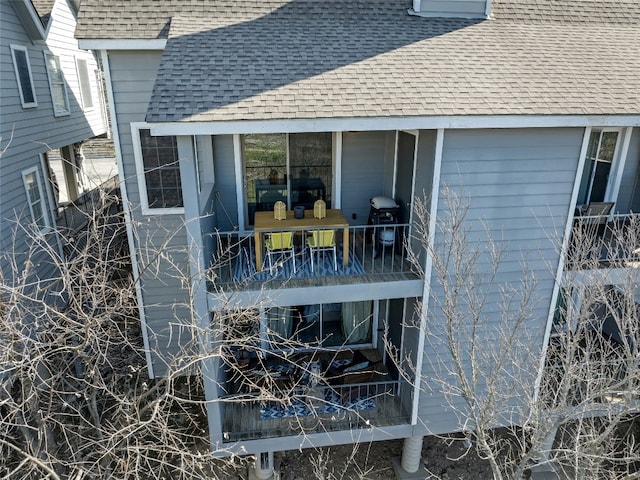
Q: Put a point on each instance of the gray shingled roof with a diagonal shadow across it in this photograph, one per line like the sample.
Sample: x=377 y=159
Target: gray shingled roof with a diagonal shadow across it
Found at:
x=304 y=59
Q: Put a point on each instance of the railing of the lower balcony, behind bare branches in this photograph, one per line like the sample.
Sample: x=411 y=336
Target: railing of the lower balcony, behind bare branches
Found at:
x=311 y=410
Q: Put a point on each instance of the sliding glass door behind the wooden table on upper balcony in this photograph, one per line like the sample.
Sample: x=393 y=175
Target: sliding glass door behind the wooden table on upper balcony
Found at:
x=295 y=168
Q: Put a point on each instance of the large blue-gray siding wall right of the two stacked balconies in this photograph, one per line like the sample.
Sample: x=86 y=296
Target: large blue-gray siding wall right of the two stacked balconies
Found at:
x=517 y=184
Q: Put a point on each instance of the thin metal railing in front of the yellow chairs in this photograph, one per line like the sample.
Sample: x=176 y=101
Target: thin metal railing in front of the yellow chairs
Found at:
x=373 y=251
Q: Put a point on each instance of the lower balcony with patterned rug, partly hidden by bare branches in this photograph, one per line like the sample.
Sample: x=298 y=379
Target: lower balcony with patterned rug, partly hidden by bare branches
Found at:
x=309 y=393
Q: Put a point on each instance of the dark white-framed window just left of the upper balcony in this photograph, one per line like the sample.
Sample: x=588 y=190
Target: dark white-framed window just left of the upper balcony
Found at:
x=160 y=180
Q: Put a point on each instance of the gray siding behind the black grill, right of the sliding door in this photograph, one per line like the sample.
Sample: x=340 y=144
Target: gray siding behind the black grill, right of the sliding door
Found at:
x=366 y=169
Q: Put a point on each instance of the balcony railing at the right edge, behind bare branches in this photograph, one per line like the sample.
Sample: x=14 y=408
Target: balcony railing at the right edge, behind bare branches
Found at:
x=605 y=241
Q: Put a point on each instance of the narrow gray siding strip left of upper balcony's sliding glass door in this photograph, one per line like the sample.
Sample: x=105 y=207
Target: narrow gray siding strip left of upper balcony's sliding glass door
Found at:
x=226 y=199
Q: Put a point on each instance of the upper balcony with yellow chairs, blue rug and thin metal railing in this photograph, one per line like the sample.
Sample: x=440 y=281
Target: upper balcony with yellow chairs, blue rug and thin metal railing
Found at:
x=309 y=256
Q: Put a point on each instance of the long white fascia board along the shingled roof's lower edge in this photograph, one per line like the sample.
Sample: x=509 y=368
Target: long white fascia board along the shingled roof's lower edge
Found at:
x=392 y=123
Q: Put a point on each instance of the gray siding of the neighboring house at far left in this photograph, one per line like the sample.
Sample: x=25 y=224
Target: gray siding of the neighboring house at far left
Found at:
x=26 y=133
